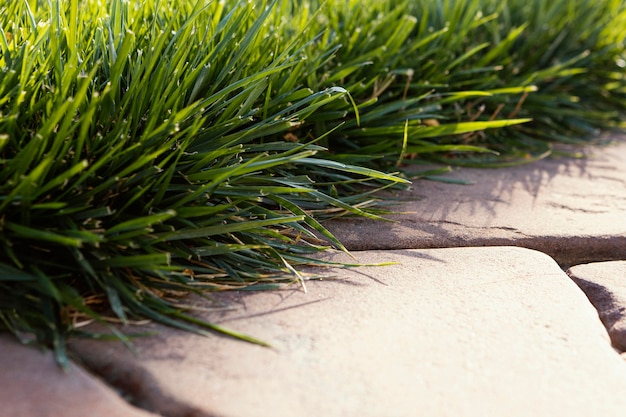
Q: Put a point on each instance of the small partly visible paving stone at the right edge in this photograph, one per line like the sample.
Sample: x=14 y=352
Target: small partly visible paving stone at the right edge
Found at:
x=605 y=285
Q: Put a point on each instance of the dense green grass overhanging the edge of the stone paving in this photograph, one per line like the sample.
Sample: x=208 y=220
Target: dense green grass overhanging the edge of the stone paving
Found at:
x=151 y=149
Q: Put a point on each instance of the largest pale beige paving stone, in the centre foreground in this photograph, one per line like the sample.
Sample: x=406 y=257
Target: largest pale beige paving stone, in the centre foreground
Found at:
x=445 y=332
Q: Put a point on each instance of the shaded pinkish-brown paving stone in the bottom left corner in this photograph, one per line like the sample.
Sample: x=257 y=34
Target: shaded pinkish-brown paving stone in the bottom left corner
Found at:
x=33 y=385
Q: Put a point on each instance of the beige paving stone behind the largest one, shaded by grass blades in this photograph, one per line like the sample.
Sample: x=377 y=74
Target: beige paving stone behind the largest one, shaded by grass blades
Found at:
x=572 y=209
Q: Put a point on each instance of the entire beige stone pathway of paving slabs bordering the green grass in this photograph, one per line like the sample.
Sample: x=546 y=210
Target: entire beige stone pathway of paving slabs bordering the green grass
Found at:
x=452 y=328
